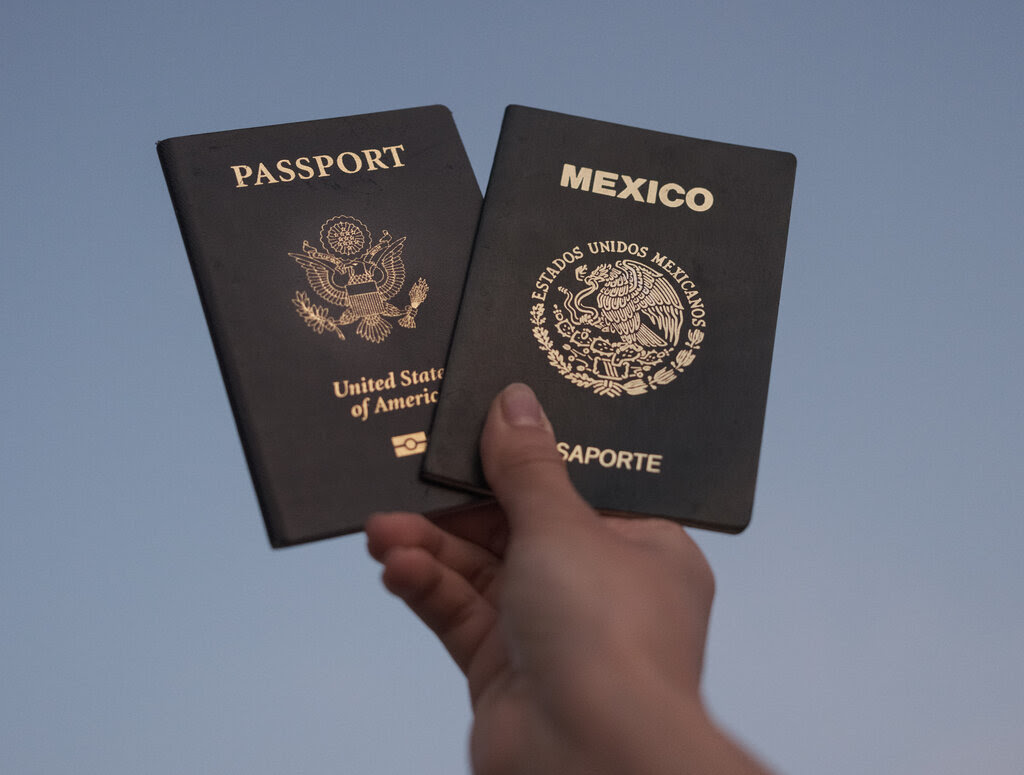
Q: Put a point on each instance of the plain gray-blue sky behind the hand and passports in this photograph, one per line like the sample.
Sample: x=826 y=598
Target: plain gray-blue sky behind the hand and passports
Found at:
x=870 y=621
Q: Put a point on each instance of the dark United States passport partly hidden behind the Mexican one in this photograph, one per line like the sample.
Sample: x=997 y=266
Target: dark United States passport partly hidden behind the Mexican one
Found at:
x=330 y=257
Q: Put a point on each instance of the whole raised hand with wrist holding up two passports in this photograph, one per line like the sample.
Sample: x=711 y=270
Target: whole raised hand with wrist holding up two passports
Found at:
x=582 y=637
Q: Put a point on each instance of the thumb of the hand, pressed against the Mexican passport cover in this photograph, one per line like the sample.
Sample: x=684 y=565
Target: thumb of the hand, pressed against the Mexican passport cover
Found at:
x=524 y=467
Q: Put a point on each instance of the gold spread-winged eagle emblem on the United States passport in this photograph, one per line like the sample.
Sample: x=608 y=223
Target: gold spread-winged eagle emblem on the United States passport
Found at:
x=352 y=272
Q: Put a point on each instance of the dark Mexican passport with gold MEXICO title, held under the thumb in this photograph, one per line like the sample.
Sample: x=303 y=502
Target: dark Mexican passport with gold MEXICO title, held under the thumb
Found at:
x=632 y=279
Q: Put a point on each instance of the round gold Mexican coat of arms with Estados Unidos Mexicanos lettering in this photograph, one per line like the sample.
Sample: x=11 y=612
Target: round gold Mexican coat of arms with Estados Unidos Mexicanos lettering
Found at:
x=626 y=326
